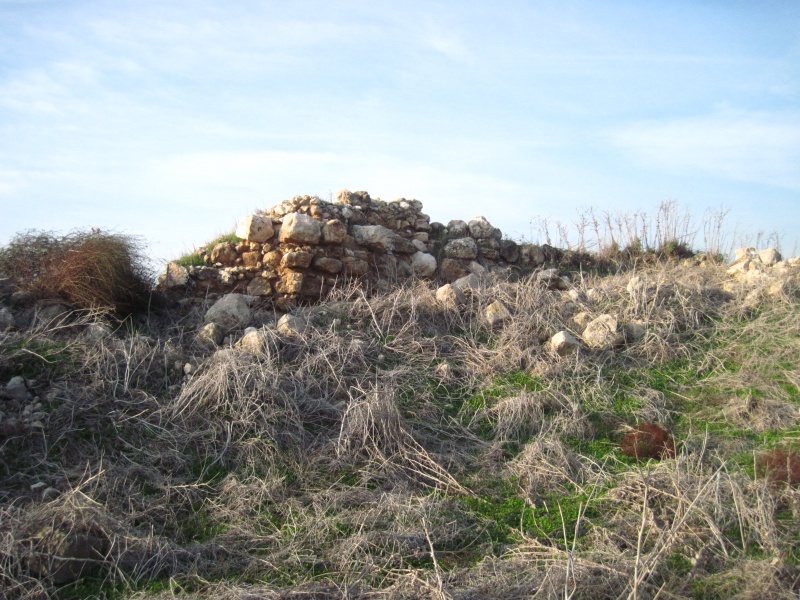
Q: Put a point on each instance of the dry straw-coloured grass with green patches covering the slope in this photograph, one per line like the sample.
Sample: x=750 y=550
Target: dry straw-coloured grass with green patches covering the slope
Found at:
x=402 y=450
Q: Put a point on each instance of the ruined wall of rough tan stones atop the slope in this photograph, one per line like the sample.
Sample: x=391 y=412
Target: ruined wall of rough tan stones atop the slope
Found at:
x=300 y=249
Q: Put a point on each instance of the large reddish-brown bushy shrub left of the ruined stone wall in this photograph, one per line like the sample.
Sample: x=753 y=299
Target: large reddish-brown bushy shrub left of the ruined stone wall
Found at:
x=90 y=270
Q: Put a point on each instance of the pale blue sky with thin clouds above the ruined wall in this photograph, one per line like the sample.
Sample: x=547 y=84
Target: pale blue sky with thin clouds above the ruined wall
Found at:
x=172 y=119
